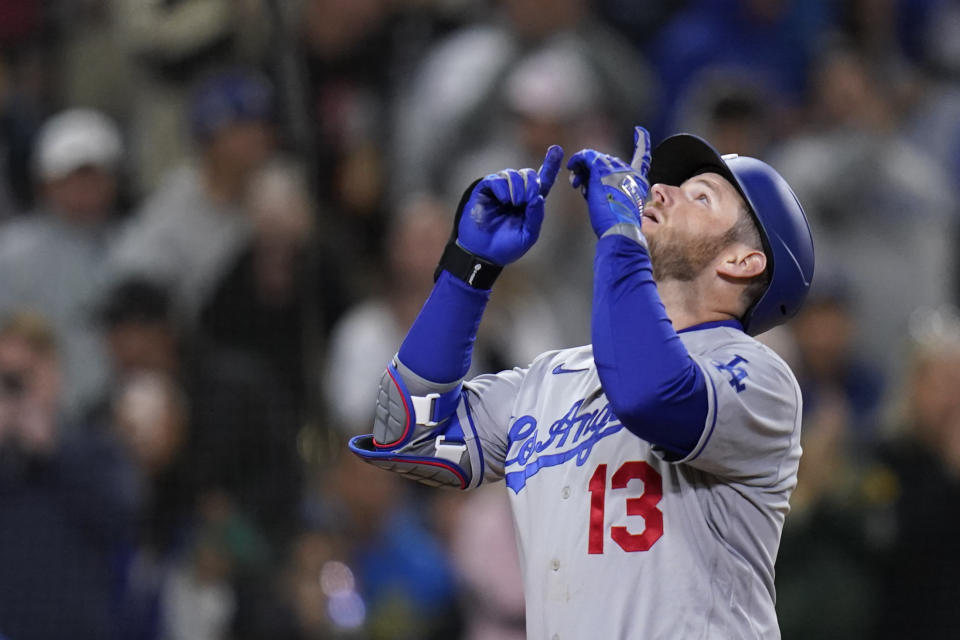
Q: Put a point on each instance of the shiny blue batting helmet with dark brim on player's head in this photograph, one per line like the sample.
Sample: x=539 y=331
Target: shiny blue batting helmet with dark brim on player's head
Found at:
x=783 y=226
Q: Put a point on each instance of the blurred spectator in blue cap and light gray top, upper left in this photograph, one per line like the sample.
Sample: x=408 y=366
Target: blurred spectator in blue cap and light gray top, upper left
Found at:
x=187 y=233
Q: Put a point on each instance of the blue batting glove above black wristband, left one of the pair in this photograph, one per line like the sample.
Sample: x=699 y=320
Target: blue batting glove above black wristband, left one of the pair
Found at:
x=502 y=216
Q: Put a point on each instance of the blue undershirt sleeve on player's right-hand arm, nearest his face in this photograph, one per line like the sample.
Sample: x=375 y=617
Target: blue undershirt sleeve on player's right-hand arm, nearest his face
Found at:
x=653 y=385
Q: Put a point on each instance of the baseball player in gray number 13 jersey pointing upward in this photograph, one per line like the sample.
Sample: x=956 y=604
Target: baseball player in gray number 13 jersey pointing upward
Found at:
x=649 y=473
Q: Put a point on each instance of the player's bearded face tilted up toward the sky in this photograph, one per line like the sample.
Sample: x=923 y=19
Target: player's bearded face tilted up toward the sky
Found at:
x=686 y=226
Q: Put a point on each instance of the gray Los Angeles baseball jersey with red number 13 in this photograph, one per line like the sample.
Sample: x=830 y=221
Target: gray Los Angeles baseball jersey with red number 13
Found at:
x=617 y=541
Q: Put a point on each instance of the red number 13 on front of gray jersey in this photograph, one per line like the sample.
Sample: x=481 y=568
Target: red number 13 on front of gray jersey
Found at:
x=645 y=505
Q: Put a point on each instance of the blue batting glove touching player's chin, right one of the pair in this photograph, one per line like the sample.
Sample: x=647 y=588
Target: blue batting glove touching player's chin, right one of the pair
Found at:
x=614 y=191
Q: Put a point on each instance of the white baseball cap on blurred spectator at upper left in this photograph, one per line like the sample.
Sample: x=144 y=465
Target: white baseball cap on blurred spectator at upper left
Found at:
x=76 y=138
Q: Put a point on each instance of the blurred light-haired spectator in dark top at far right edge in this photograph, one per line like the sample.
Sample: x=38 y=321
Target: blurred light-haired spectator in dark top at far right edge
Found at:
x=920 y=594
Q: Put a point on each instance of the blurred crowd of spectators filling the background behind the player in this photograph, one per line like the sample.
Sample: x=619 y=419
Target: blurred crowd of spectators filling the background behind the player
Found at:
x=218 y=218
